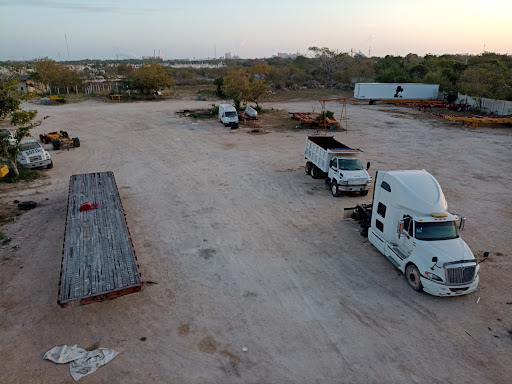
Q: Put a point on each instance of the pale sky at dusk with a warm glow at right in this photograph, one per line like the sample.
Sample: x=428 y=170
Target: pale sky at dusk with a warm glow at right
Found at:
x=106 y=29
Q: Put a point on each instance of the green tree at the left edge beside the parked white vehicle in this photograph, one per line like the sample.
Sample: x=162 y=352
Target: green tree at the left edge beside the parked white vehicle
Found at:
x=10 y=110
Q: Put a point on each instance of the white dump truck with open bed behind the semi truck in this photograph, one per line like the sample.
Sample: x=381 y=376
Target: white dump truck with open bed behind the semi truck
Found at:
x=327 y=156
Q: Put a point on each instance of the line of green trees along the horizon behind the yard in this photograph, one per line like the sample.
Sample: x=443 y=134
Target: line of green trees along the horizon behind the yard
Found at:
x=485 y=75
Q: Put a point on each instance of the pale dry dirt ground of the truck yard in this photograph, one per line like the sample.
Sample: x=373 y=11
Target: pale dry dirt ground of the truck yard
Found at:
x=240 y=249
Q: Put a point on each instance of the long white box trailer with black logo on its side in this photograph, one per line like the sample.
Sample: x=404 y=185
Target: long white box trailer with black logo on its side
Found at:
x=395 y=91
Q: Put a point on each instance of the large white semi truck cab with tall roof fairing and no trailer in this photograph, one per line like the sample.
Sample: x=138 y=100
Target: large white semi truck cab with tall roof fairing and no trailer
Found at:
x=408 y=222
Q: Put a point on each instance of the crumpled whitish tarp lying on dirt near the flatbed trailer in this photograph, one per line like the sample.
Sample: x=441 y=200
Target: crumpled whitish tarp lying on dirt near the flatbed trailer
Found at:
x=83 y=362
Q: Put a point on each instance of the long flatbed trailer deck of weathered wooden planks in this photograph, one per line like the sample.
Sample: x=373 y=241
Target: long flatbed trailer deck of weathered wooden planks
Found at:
x=98 y=259
